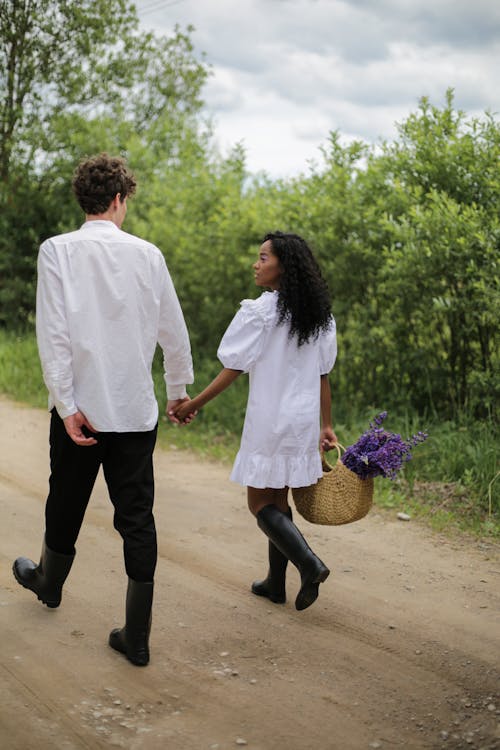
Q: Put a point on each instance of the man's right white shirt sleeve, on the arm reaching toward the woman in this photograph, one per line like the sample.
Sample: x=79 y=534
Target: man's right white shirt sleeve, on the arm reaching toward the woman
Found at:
x=173 y=338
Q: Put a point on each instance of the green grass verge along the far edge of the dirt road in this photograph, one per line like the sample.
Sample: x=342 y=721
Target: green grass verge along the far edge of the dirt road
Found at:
x=451 y=476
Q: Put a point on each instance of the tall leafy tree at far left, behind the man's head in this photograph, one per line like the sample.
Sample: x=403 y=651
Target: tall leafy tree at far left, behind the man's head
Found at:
x=77 y=78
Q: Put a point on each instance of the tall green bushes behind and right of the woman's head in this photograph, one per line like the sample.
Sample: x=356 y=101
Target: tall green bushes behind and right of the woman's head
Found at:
x=409 y=239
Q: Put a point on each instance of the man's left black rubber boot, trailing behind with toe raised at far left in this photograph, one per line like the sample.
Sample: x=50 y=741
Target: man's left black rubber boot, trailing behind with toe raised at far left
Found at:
x=47 y=578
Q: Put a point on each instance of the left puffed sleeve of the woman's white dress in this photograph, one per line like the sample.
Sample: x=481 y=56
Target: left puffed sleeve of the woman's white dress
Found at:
x=244 y=340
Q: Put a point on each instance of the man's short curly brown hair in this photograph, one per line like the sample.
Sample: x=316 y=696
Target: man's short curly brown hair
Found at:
x=97 y=180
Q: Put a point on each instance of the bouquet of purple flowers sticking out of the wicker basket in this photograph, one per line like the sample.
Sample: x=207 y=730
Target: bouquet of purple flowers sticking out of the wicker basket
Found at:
x=379 y=452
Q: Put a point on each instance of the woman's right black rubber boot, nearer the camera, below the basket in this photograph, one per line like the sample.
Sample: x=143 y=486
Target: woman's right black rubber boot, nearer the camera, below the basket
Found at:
x=287 y=538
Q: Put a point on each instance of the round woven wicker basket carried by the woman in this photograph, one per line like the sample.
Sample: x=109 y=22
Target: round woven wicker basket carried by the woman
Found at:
x=339 y=497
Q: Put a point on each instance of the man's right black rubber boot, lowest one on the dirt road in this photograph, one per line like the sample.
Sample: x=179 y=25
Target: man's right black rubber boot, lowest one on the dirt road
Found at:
x=133 y=639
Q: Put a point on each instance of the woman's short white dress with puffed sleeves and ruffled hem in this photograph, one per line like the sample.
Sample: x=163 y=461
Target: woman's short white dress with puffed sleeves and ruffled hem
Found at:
x=280 y=440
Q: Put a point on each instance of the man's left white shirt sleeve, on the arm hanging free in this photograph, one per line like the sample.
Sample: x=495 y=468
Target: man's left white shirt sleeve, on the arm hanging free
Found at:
x=52 y=333
